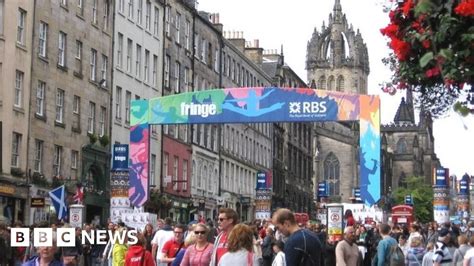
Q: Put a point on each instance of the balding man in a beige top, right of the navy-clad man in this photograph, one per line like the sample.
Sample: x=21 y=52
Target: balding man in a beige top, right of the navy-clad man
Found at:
x=347 y=252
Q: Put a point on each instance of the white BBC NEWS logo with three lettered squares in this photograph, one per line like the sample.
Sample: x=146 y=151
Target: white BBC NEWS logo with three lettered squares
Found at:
x=66 y=237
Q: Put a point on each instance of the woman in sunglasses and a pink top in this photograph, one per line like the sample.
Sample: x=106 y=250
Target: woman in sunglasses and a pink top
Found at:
x=200 y=253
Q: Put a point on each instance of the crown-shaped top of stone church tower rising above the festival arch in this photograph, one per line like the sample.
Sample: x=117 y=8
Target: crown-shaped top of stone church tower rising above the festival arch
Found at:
x=337 y=57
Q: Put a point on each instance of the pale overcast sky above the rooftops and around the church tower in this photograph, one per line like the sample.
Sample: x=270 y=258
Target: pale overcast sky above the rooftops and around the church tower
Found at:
x=276 y=22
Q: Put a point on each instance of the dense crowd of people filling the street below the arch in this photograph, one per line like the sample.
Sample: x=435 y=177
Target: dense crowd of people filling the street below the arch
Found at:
x=273 y=242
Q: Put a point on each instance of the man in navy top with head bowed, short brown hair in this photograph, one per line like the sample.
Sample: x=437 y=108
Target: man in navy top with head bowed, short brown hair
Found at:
x=302 y=246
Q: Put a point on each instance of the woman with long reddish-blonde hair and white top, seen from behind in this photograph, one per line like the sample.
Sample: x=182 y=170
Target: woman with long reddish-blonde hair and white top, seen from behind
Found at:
x=239 y=247
